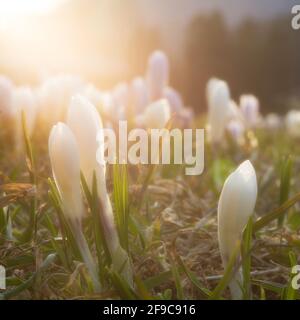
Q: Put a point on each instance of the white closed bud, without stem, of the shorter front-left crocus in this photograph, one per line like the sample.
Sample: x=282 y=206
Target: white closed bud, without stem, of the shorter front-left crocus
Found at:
x=64 y=156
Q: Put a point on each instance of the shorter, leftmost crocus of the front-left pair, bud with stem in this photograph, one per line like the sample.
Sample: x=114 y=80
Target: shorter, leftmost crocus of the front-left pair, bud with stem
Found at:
x=64 y=156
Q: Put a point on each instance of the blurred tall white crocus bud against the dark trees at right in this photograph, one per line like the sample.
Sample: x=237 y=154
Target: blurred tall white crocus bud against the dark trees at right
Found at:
x=218 y=109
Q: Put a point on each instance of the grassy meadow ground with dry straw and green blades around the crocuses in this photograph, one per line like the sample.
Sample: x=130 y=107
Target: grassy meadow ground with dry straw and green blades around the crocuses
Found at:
x=166 y=221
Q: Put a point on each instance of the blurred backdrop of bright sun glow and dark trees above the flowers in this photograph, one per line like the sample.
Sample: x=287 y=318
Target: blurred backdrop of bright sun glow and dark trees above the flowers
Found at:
x=250 y=44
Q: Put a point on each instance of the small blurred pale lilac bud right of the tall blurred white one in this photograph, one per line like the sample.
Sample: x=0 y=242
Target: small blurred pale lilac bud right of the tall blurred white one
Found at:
x=249 y=105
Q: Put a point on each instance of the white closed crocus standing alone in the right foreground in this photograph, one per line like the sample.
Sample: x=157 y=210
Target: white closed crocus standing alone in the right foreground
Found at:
x=236 y=205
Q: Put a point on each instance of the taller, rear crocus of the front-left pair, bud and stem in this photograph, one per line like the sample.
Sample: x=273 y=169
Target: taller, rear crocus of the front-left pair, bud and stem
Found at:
x=86 y=124
